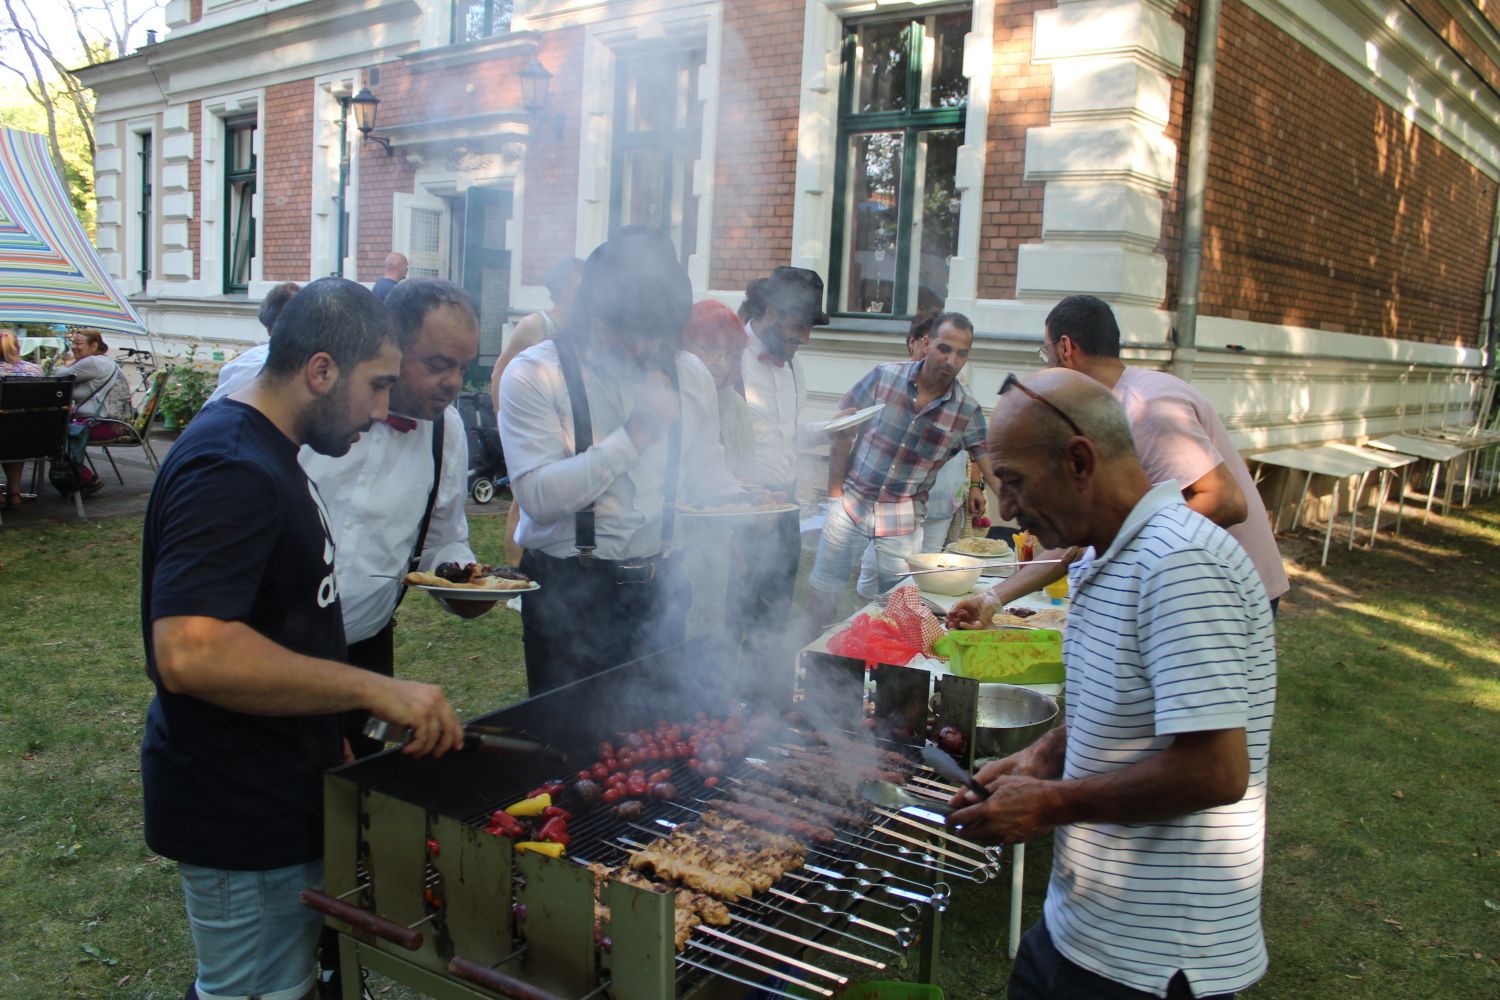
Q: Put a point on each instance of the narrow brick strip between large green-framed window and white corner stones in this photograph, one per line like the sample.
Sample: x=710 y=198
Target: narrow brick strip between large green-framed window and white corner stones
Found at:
x=1021 y=98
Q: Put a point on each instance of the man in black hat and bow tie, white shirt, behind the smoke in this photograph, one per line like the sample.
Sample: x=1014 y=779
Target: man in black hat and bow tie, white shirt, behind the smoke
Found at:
x=781 y=313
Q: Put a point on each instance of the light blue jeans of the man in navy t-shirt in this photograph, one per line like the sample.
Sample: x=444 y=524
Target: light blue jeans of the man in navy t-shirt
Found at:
x=254 y=938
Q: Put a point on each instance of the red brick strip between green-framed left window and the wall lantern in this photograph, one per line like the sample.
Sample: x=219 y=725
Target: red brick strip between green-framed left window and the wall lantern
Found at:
x=287 y=173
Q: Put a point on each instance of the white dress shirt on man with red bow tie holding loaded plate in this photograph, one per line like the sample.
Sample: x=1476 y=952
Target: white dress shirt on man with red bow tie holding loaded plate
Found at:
x=376 y=497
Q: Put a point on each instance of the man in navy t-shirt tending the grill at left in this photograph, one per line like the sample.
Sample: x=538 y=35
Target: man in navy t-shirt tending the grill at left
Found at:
x=245 y=645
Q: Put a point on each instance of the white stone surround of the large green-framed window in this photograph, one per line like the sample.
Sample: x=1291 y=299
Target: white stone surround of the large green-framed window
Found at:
x=818 y=137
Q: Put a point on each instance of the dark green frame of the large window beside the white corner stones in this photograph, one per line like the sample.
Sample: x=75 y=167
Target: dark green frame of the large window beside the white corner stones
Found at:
x=911 y=124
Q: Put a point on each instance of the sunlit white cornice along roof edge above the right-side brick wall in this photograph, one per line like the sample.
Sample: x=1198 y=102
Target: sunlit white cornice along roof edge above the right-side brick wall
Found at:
x=1390 y=53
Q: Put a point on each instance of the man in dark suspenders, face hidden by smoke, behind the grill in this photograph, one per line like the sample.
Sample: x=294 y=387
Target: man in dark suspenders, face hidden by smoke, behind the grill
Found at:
x=605 y=428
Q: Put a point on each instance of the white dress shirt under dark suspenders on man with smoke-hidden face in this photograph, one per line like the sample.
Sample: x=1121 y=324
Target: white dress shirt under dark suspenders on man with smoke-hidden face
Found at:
x=554 y=482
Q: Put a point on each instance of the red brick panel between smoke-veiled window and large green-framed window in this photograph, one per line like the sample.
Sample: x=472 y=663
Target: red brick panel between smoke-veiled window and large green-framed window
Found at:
x=757 y=160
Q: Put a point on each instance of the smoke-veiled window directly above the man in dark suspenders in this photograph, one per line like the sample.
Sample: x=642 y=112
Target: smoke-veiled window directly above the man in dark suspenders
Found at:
x=659 y=130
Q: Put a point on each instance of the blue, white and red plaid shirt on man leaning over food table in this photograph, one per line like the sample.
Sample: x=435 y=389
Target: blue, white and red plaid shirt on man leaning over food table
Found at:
x=898 y=455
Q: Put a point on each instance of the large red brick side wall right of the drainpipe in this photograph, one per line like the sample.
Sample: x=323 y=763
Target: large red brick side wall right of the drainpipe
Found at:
x=1328 y=209
